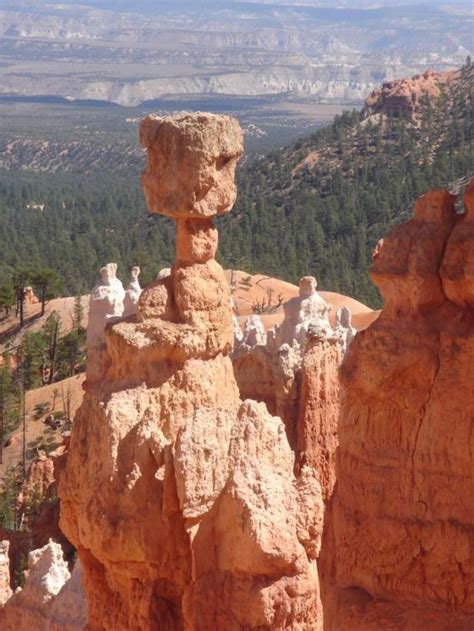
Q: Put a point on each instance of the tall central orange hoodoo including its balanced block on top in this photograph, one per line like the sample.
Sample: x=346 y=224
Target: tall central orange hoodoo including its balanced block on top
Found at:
x=181 y=499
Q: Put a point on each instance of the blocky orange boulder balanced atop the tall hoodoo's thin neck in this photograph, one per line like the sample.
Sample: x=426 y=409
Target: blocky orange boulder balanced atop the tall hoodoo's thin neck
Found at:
x=191 y=163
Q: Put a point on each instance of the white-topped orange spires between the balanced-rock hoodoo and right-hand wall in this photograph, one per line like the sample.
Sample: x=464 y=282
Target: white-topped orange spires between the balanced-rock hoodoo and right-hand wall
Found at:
x=293 y=369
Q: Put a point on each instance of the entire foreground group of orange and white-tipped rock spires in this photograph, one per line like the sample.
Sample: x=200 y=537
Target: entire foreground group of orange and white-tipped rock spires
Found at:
x=191 y=508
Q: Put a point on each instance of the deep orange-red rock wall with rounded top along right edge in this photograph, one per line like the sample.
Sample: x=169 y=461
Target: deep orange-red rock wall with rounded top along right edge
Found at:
x=403 y=520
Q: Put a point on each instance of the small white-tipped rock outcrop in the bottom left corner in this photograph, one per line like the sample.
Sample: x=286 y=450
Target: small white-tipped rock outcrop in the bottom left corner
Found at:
x=51 y=600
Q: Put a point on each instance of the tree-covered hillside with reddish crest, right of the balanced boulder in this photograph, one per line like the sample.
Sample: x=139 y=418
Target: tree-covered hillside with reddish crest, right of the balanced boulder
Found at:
x=321 y=205
